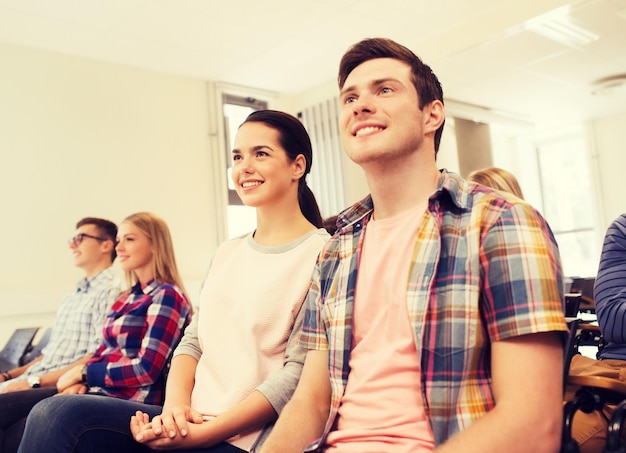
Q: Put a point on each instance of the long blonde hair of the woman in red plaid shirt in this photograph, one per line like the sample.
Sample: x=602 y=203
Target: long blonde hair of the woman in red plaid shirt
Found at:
x=163 y=260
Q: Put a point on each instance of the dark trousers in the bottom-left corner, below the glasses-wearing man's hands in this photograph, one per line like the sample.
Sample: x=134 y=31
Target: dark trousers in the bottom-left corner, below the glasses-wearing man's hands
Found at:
x=14 y=408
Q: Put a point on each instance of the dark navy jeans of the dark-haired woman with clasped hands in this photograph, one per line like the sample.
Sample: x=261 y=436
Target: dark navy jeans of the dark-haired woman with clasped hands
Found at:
x=90 y=423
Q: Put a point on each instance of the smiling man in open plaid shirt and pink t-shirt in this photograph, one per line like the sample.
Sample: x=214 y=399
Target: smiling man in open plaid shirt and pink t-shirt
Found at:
x=434 y=321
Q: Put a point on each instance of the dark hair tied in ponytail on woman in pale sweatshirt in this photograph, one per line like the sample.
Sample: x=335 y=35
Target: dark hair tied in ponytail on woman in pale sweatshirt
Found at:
x=295 y=140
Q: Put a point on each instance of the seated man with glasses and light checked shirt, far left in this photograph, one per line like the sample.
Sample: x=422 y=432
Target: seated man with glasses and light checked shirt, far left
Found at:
x=77 y=330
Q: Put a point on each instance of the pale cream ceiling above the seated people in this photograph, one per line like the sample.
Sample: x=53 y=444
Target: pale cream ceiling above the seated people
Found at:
x=483 y=51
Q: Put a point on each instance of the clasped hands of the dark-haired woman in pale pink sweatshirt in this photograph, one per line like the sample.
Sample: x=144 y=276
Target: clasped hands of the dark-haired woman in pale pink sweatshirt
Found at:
x=176 y=427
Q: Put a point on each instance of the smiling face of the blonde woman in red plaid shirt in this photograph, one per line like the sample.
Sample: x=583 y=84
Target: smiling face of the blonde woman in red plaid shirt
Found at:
x=134 y=251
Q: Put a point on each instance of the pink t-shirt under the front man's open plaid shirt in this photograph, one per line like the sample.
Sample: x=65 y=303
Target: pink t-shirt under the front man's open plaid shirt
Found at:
x=382 y=408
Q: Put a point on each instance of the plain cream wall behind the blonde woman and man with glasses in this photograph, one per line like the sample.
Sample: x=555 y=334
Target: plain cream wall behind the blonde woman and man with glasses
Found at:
x=83 y=138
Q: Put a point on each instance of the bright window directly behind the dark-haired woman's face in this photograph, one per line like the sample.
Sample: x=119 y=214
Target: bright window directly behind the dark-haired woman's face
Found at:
x=240 y=219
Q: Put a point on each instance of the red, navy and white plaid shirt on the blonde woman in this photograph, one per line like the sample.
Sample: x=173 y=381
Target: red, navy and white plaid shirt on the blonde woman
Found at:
x=140 y=333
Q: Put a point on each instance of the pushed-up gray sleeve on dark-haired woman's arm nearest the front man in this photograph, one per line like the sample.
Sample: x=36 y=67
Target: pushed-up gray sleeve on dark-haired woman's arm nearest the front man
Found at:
x=279 y=387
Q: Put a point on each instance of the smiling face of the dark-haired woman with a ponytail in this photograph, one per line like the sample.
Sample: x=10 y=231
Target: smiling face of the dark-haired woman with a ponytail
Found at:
x=262 y=172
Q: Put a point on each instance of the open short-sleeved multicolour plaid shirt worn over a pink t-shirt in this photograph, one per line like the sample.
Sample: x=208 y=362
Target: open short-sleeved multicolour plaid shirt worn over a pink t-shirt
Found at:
x=485 y=268
